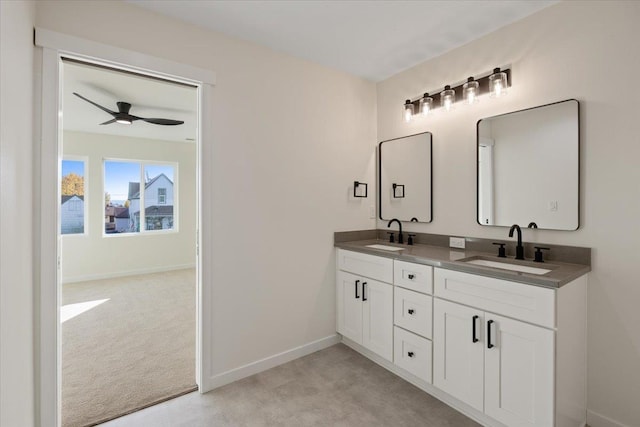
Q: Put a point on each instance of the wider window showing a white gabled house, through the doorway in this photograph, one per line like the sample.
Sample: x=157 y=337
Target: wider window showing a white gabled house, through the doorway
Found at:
x=132 y=209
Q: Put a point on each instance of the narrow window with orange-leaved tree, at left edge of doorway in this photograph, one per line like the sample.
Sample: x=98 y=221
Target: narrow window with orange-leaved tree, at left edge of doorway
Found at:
x=72 y=203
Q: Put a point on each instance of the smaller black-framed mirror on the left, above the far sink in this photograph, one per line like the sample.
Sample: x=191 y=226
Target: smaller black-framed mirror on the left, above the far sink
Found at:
x=404 y=184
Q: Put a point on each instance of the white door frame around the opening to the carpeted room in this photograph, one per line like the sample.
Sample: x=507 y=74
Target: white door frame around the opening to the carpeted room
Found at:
x=54 y=46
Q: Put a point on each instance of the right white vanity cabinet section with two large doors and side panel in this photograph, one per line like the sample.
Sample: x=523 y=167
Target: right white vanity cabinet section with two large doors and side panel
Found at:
x=499 y=347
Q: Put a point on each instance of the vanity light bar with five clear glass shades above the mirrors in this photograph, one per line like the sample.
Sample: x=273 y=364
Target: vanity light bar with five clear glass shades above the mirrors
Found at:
x=494 y=83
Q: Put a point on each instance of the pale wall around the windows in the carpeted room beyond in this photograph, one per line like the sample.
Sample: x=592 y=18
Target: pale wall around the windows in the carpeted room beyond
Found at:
x=93 y=255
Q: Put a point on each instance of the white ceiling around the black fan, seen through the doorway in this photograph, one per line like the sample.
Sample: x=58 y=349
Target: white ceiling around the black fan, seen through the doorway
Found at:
x=149 y=98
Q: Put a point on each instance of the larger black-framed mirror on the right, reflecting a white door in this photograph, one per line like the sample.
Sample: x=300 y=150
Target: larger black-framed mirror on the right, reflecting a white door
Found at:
x=528 y=167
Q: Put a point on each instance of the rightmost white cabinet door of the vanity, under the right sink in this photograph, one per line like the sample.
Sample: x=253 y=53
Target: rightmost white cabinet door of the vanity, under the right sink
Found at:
x=519 y=372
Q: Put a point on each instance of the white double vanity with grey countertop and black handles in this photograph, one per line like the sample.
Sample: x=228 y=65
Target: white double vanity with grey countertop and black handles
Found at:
x=502 y=341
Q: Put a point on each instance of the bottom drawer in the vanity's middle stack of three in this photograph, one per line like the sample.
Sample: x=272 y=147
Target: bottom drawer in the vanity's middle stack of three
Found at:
x=412 y=353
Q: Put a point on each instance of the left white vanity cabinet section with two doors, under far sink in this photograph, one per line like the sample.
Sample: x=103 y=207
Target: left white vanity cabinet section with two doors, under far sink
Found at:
x=365 y=301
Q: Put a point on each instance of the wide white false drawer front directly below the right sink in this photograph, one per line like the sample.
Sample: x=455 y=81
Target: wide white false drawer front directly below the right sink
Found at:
x=530 y=303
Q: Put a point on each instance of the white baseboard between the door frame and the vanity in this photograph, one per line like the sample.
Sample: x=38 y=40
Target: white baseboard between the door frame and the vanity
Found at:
x=268 y=363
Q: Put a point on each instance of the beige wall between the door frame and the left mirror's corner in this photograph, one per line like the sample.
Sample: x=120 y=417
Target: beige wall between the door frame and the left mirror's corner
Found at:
x=290 y=137
